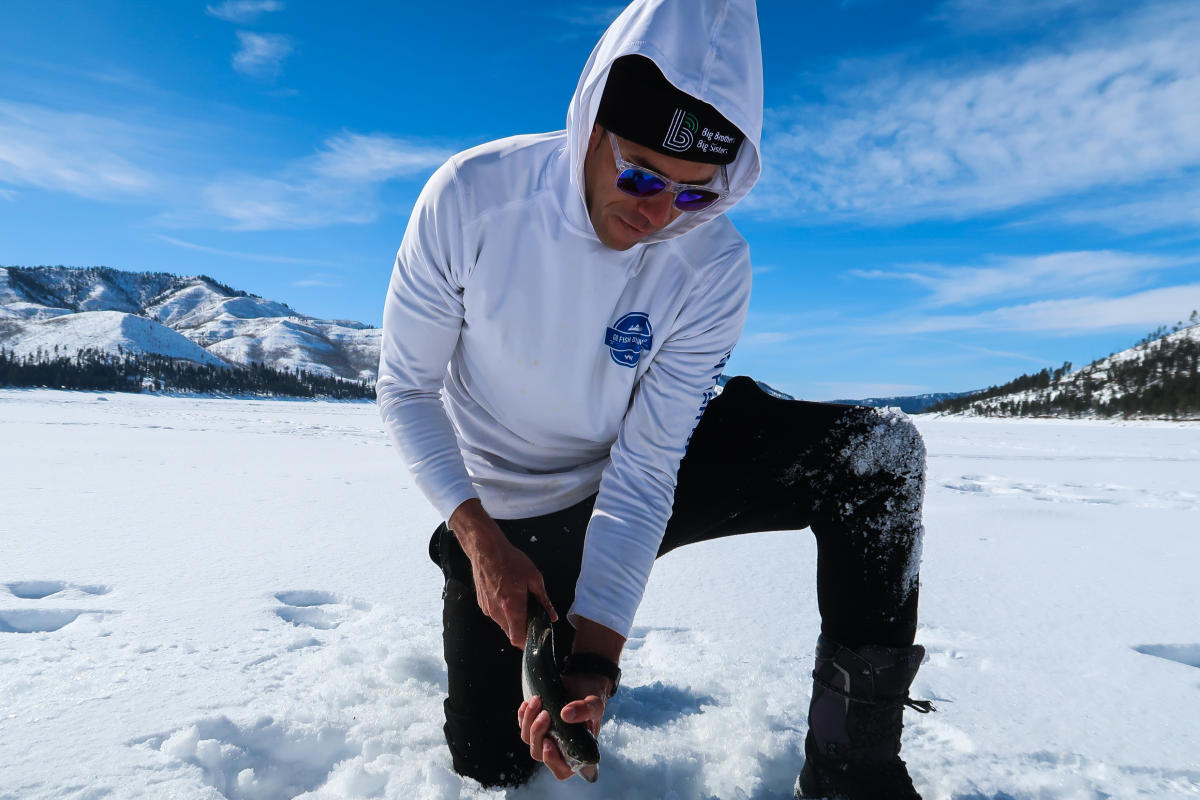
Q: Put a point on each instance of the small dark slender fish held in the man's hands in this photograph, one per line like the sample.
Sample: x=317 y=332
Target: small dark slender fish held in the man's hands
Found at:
x=541 y=677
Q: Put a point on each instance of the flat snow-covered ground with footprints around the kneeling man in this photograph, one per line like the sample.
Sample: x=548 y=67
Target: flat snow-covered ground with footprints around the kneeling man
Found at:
x=231 y=599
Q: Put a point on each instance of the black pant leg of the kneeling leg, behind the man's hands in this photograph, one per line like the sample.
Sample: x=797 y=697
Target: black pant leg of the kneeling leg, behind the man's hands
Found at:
x=483 y=669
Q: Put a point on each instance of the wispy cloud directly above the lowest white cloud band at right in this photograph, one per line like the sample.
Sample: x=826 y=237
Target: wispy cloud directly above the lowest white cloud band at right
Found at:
x=1046 y=276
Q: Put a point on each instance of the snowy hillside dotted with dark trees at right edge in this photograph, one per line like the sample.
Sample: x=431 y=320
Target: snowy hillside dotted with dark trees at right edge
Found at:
x=1159 y=377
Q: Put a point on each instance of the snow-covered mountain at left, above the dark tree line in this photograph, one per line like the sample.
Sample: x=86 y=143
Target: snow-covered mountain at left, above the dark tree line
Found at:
x=59 y=311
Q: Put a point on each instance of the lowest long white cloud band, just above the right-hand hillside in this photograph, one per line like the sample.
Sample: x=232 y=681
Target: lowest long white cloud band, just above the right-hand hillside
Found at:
x=1141 y=311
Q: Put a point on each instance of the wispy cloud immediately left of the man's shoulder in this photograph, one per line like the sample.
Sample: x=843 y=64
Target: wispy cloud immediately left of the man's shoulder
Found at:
x=339 y=184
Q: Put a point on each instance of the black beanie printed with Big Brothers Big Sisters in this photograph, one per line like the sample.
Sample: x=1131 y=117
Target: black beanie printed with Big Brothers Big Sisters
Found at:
x=643 y=106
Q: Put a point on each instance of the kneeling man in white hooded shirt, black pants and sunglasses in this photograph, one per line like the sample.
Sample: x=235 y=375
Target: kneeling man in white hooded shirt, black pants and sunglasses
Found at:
x=560 y=312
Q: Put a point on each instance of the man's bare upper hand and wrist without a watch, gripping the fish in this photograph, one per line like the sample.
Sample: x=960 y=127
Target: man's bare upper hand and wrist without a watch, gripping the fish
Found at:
x=505 y=576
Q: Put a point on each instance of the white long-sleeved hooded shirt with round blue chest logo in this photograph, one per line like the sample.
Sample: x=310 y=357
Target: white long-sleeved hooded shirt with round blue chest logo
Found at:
x=529 y=365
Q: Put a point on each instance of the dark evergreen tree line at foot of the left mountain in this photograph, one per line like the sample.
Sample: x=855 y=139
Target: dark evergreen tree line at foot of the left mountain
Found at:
x=125 y=372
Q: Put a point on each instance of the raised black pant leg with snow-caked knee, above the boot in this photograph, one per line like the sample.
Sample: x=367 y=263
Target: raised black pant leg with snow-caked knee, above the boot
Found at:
x=855 y=476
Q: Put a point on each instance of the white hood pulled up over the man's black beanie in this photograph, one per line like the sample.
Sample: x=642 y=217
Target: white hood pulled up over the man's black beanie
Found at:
x=707 y=49
